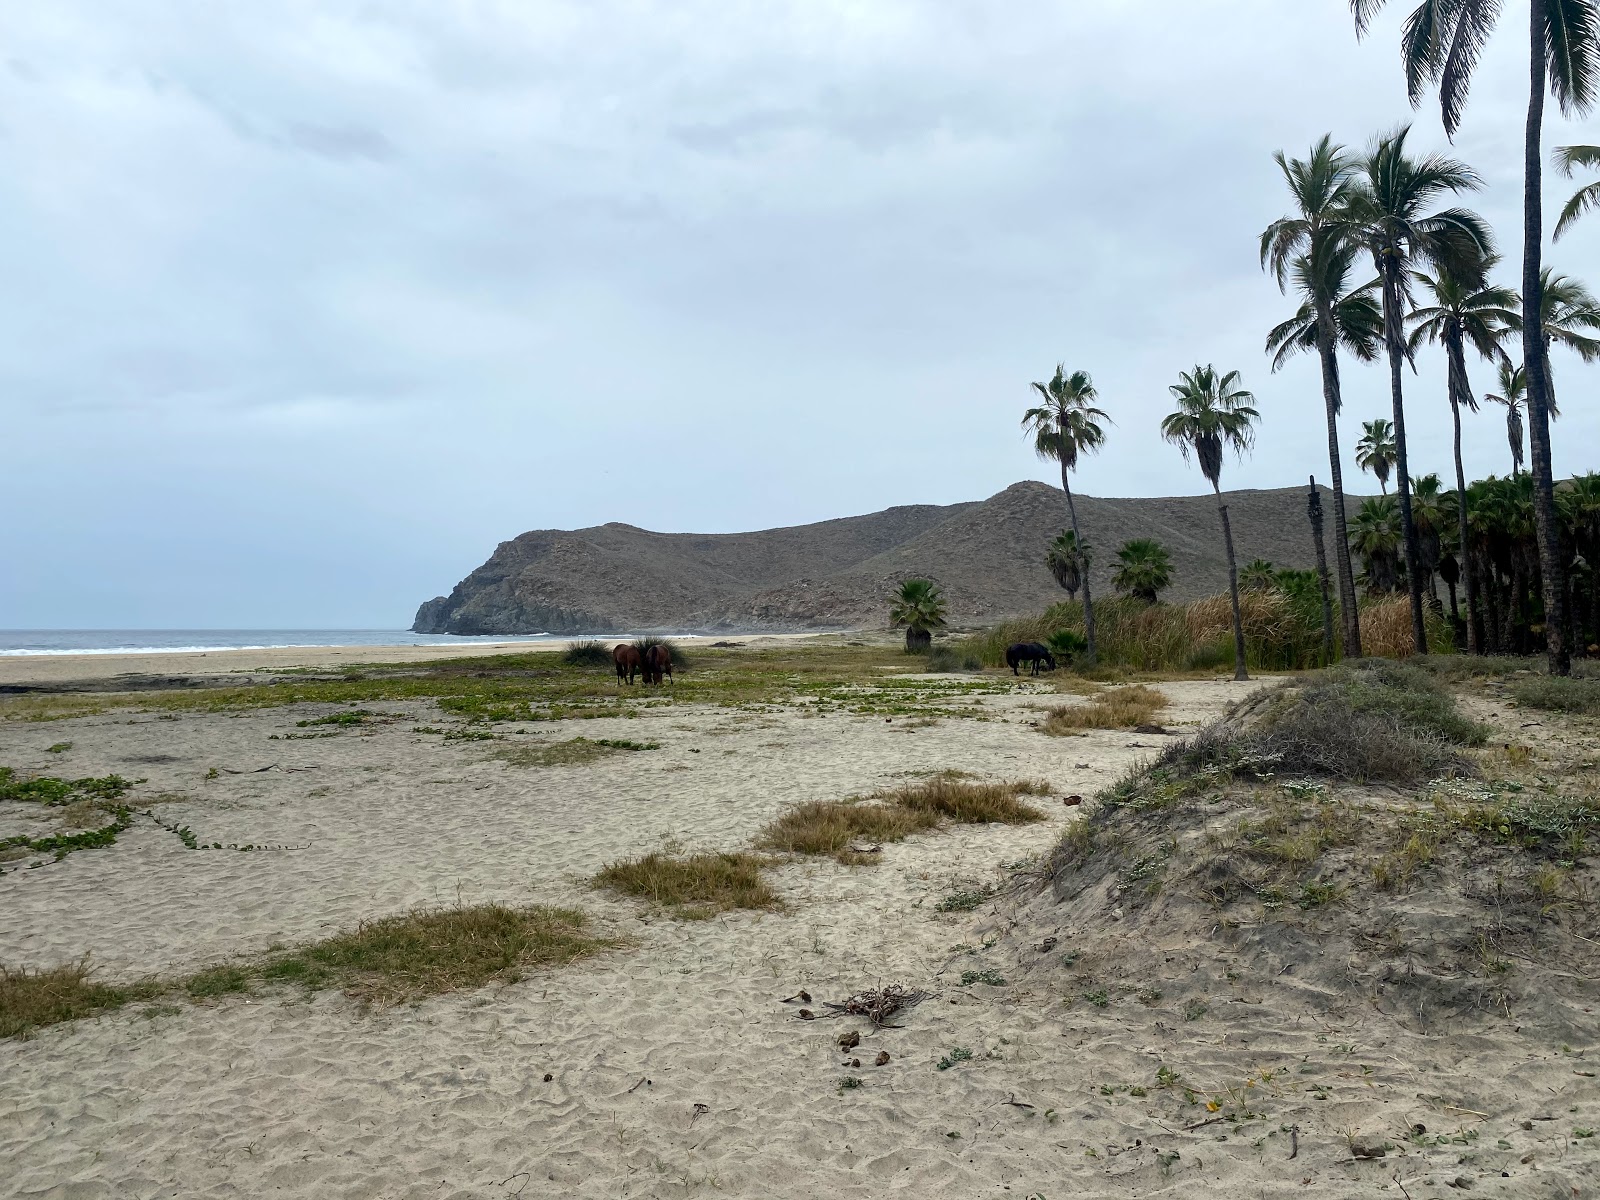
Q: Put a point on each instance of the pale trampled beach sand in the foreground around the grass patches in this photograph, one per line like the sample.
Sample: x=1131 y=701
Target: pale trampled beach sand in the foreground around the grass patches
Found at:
x=674 y=1065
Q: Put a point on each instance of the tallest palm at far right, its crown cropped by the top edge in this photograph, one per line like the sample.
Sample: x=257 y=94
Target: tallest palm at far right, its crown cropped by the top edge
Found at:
x=1441 y=44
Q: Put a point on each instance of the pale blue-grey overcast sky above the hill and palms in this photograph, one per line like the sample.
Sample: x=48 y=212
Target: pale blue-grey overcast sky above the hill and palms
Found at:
x=310 y=305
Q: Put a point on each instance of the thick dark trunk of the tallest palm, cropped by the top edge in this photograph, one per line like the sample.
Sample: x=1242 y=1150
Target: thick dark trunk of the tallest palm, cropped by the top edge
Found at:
x=1551 y=575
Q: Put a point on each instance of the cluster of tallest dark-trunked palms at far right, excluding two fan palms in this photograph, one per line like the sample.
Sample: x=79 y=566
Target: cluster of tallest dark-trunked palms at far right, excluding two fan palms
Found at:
x=1385 y=204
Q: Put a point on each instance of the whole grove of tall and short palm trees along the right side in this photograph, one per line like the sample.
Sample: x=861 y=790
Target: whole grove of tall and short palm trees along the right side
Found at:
x=1383 y=258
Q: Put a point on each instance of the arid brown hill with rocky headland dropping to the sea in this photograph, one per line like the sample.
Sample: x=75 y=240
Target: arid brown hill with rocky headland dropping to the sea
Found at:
x=836 y=575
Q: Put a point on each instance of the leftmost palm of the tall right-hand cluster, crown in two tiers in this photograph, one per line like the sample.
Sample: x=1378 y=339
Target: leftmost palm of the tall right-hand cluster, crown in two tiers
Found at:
x=1313 y=252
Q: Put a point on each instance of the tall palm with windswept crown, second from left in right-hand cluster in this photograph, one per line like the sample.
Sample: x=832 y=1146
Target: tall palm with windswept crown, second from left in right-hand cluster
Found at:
x=1390 y=214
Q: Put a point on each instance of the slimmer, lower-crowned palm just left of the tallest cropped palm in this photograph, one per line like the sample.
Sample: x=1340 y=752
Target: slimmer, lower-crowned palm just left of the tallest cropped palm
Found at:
x=1463 y=311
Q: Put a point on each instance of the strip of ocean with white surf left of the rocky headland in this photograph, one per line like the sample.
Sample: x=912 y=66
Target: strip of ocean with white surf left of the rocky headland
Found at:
x=177 y=641
